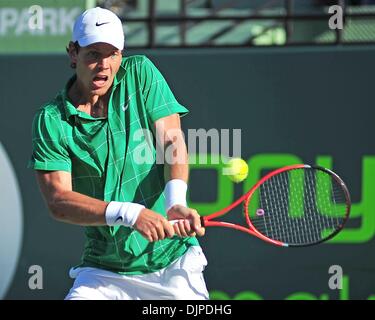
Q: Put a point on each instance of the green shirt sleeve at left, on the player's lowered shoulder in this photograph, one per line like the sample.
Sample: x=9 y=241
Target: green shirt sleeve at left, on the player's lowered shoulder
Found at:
x=48 y=153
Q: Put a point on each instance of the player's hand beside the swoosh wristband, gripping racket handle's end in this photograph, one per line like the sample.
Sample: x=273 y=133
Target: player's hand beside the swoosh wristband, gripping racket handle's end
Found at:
x=153 y=226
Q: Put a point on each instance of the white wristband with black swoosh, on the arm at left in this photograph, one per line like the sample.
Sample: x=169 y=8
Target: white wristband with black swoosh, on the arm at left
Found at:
x=122 y=213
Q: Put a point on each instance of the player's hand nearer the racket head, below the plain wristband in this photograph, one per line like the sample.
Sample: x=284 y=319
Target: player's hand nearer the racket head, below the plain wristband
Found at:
x=189 y=224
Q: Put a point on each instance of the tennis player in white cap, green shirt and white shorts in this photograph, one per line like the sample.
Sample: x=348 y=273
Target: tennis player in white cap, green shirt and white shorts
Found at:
x=95 y=154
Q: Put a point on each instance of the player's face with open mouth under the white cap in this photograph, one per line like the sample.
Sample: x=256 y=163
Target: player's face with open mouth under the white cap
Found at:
x=97 y=66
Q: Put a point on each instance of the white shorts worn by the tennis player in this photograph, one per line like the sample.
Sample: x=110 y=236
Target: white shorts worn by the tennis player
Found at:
x=182 y=280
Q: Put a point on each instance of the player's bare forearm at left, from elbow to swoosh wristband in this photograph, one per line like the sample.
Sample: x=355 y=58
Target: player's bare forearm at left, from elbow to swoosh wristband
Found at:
x=76 y=208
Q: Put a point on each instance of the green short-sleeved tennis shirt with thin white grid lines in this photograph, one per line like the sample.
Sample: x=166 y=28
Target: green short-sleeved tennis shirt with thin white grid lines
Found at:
x=114 y=159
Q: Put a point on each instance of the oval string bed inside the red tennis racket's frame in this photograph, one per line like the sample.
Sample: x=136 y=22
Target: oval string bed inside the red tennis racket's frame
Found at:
x=300 y=206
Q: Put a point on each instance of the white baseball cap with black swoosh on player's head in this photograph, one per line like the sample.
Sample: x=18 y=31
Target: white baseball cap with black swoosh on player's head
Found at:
x=98 y=25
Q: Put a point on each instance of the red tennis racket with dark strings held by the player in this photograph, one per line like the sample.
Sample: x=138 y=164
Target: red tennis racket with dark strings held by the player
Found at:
x=298 y=205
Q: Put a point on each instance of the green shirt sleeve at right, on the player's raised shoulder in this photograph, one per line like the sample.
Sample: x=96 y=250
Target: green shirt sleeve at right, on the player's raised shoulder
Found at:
x=158 y=97
